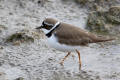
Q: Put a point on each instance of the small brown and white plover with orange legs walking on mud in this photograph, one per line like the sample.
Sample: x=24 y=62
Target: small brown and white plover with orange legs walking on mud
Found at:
x=68 y=38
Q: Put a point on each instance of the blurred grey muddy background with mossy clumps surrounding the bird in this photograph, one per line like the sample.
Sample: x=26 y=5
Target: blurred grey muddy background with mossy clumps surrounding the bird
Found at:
x=25 y=55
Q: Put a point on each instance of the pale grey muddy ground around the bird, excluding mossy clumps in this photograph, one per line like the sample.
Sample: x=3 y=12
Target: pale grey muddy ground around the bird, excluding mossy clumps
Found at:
x=37 y=61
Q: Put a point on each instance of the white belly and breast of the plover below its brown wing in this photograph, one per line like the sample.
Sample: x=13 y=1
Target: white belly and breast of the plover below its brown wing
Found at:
x=53 y=42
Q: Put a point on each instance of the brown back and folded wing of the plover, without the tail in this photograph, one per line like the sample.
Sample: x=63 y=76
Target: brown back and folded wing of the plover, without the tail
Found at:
x=72 y=35
